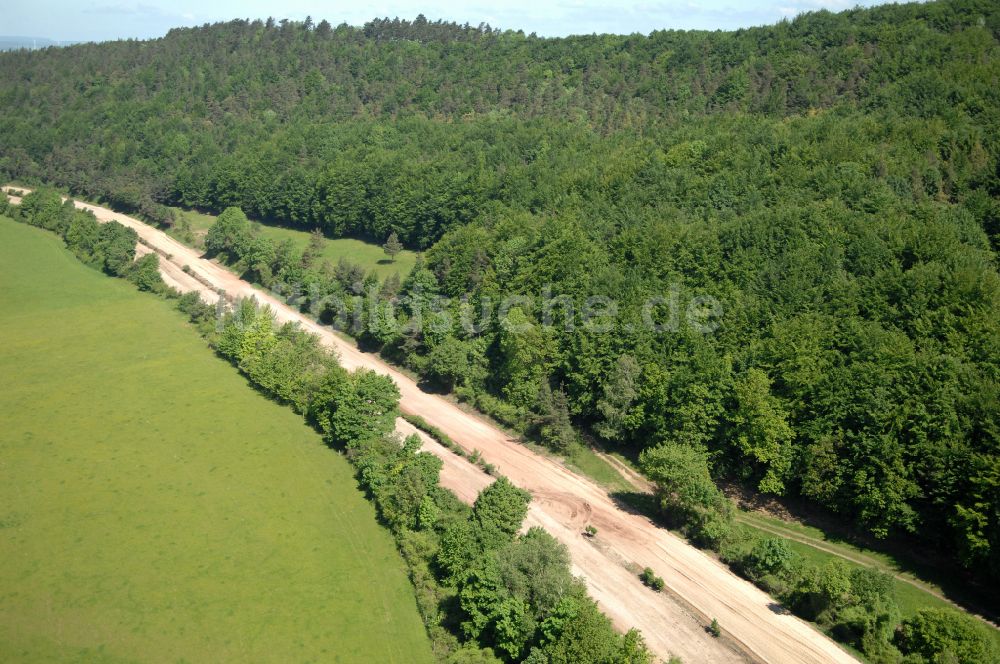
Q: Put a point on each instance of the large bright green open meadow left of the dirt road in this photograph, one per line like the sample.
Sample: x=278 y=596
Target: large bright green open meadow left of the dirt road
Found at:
x=154 y=507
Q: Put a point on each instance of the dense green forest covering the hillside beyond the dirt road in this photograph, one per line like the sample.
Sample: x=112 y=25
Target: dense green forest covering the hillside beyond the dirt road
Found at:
x=831 y=181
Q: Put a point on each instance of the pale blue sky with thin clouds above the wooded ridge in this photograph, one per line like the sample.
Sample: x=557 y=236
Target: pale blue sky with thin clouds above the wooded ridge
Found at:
x=99 y=20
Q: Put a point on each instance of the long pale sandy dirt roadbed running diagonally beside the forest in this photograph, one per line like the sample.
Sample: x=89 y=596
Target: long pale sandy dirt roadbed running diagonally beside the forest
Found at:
x=698 y=588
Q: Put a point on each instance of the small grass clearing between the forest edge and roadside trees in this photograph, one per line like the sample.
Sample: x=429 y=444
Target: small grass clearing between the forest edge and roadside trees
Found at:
x=369 y=256
